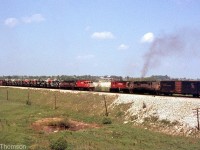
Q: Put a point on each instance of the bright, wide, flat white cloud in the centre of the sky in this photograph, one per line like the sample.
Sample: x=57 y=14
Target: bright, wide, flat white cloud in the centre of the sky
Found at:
x=102 y=35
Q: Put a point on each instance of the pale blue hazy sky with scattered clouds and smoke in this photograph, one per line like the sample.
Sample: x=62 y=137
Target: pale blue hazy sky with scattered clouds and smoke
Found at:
x=100 y=37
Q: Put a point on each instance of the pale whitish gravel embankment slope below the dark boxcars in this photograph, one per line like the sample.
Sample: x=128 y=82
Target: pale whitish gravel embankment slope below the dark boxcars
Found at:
x=172 y=115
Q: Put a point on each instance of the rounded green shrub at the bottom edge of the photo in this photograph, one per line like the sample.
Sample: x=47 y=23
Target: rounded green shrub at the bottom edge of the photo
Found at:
x=59 y=144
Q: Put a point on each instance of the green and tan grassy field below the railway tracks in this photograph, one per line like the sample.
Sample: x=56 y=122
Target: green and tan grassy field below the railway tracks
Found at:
x=21 y=110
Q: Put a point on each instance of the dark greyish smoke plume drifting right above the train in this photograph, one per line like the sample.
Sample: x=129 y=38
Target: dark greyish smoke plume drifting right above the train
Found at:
x=168 y=45
